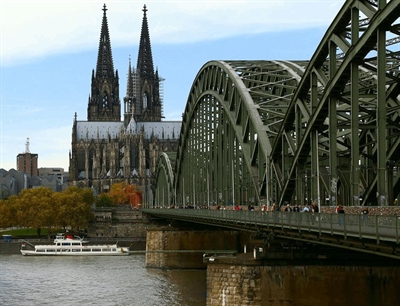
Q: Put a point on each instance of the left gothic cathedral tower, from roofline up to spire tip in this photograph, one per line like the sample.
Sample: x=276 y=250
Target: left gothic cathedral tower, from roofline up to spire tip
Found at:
x=104 y=103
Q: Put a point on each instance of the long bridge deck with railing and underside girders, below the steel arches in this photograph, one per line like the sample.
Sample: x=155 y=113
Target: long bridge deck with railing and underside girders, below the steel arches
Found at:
x=374 y=234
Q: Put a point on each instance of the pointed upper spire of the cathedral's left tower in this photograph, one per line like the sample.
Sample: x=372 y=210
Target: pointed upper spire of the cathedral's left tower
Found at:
x=105 y=66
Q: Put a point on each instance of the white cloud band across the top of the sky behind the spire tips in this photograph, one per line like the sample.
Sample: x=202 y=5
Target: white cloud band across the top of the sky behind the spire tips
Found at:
x=31 y=29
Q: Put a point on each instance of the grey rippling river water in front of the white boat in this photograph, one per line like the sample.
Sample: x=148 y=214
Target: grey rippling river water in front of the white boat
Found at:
x=96 y=280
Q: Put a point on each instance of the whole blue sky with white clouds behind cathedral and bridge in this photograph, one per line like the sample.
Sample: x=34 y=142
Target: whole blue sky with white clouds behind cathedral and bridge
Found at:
x=48 y=50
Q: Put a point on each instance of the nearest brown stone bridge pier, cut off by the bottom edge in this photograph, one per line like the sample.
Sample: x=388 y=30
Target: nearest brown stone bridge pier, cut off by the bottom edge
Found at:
x=243 y=280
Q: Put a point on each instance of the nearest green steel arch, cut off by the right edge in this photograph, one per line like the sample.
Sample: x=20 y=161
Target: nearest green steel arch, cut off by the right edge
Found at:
x=343 y=122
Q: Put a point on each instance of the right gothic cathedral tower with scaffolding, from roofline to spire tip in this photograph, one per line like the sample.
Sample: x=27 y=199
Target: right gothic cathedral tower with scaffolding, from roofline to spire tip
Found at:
x=143 y=102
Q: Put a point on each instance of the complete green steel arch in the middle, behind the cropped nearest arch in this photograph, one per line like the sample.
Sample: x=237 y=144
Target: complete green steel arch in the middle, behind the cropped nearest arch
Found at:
x=233 y=114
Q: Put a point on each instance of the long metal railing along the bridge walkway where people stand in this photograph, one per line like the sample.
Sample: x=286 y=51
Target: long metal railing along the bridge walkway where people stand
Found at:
x=375 y=227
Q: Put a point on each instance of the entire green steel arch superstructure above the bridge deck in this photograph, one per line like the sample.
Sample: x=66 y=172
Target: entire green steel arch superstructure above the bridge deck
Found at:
x=274 y=131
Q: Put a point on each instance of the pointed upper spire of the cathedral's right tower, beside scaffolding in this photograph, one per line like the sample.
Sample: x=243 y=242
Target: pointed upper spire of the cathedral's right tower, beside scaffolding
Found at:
x=145 y=58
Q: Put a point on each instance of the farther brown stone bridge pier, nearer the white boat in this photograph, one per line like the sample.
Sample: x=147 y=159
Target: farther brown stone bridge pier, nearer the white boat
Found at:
x=174 y=248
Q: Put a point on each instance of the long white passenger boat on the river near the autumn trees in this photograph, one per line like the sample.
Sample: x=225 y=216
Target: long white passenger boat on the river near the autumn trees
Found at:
x=67 y=245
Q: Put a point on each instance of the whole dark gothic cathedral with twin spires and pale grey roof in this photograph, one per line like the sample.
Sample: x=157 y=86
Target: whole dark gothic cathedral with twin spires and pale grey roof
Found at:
x=105 y=149
